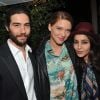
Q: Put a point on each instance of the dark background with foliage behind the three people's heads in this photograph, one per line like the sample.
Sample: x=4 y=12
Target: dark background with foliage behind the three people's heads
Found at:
x=79 y=9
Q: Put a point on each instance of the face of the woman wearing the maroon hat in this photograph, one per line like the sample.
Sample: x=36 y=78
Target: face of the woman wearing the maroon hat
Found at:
x=82 y=46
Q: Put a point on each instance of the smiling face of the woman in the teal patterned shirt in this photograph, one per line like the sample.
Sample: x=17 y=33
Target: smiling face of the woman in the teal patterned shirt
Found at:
x=60 y=31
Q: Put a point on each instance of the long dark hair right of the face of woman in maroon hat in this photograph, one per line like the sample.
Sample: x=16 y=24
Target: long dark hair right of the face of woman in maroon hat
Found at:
x=94 y=55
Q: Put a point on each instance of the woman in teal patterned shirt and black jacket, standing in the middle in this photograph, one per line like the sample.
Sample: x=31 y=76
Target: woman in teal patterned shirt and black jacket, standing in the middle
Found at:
x=56 y=59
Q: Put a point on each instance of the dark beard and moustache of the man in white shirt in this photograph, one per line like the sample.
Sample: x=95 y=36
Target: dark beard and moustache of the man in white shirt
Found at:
x=19 y=43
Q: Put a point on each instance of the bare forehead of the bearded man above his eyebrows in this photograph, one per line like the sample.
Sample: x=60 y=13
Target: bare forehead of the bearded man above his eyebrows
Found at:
x=19 y=18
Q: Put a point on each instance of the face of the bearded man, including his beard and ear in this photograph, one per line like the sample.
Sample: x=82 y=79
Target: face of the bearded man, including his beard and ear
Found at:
x=19 y=29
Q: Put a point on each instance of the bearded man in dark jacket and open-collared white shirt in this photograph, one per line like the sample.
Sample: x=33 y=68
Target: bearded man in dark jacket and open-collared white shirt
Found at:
x=18 y=79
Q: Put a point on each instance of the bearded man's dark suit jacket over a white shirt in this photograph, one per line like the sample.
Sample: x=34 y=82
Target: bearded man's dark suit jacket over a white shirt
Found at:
x=11 y=83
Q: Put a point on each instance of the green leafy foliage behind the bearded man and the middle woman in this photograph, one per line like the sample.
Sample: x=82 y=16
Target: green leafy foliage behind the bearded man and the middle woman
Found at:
x=40 y=14
